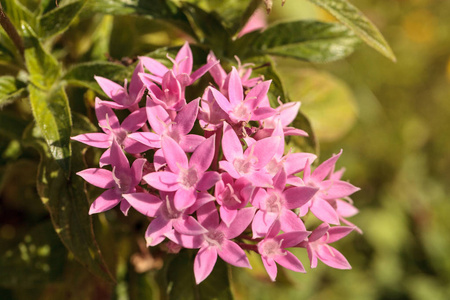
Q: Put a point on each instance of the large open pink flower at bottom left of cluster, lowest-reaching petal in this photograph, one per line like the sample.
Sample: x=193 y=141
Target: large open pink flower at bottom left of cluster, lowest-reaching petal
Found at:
x=217 y=241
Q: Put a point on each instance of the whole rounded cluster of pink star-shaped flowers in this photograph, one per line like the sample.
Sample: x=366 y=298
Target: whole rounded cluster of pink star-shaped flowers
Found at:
x=227 y=186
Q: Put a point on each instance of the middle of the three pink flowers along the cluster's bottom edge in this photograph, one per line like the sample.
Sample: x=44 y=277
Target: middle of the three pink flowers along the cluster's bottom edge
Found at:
x=273 y=250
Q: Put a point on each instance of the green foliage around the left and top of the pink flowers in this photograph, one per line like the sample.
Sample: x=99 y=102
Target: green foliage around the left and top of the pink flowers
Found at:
x=46 y=96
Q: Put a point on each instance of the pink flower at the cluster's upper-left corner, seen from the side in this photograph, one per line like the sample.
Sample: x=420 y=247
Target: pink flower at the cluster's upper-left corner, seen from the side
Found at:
x=122 y=97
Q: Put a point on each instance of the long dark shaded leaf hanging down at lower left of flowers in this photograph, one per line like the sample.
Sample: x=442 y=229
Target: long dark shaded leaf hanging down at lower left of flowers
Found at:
x=66 y=200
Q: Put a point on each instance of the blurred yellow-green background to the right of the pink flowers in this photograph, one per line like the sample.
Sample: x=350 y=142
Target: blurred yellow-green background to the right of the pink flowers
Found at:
x=393 y=122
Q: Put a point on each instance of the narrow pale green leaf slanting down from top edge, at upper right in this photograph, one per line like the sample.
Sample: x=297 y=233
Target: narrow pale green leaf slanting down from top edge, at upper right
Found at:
x=351 y=17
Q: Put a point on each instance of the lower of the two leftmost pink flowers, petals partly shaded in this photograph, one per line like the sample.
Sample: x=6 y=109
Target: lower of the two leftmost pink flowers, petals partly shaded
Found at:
x=121 y=180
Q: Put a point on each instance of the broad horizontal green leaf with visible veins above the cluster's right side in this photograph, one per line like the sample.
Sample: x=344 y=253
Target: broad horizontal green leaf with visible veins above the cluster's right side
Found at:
x=312 y=41
